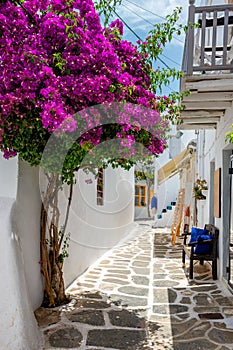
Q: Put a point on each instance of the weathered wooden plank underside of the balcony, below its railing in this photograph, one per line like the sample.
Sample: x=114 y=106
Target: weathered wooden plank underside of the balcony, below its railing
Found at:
x=210 y=96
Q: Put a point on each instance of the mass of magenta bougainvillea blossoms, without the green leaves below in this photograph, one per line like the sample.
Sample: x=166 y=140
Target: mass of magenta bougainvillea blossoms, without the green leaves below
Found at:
x=56 y=60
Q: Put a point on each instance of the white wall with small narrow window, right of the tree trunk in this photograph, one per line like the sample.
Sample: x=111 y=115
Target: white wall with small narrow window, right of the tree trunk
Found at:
x=95 y=229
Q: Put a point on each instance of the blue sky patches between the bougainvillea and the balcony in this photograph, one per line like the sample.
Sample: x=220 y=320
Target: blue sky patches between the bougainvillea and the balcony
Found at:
x=141 y=16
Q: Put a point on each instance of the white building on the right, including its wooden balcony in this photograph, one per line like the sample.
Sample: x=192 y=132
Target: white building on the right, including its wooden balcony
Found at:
x=208 y=75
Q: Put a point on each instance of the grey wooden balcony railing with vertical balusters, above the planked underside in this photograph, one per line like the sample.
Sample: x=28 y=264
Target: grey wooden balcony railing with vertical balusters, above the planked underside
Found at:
x=209 y=48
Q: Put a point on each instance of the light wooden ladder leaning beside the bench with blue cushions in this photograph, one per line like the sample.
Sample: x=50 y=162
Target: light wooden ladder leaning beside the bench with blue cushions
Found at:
x=178 y=215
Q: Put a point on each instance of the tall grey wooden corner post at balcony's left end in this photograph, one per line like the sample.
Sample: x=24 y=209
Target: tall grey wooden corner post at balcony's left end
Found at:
x=190 y=37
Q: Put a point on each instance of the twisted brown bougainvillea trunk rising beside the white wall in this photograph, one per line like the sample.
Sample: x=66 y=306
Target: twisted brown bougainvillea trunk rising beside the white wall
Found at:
x=51 y=244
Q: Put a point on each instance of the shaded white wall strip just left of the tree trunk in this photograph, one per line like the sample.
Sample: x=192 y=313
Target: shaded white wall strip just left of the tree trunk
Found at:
x=26 y=224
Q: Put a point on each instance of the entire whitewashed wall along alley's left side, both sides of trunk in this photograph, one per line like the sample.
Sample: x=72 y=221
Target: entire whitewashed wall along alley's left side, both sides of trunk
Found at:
x=94 y=229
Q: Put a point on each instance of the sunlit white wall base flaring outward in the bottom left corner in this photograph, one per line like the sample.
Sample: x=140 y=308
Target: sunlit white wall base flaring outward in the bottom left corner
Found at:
x=18 y=327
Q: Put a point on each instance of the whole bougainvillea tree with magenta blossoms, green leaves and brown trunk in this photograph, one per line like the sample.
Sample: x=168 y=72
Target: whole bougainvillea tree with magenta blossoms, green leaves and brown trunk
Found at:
x=56 y=62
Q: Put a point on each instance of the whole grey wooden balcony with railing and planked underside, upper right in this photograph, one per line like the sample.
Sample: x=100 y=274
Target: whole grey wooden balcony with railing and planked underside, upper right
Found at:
x=207 y=66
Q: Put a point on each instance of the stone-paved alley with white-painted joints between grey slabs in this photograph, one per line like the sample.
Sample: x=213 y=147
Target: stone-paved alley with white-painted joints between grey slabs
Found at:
x=138 y=296
